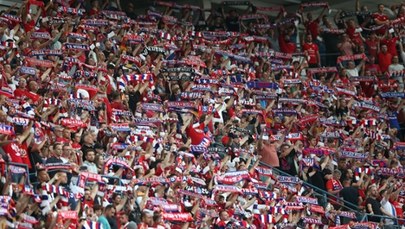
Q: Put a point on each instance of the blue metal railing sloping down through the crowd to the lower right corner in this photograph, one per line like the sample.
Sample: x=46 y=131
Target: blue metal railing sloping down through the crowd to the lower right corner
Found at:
x=361 y=216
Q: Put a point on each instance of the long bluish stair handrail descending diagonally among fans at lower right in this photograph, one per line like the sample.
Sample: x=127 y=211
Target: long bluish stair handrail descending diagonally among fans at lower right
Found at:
x=323 y=192
